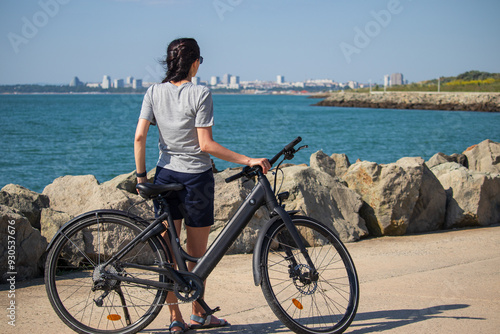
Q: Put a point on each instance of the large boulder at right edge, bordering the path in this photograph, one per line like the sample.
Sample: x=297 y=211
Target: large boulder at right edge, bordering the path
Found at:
x=473 y=197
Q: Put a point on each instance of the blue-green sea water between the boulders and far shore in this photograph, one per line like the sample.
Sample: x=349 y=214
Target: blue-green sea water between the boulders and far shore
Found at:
x=47 y=136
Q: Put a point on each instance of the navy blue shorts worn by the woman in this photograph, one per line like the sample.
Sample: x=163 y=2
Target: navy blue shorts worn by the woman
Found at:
x=195 y=202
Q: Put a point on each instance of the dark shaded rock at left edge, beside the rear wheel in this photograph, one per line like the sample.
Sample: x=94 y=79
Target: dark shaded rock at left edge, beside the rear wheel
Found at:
x=28 y=249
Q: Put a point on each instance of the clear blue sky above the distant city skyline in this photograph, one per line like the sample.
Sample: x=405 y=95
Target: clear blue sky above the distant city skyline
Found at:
x=51 y=41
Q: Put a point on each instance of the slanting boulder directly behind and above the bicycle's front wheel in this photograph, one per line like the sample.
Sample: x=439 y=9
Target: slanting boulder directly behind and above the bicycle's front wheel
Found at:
x=326 y=199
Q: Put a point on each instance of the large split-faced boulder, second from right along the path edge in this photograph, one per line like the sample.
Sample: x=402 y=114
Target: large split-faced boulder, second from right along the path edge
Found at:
x=399 y=197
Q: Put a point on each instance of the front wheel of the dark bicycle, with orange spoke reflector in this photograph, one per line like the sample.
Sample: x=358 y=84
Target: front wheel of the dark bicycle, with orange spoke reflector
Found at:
x=327 y=305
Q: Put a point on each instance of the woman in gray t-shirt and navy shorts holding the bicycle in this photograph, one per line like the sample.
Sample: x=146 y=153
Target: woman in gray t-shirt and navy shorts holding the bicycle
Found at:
x=183 y=113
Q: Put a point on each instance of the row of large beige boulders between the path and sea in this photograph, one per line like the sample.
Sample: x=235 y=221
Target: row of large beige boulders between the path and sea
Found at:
x=356 y=201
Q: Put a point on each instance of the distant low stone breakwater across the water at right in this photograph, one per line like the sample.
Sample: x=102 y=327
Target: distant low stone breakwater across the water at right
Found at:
x=414 y=100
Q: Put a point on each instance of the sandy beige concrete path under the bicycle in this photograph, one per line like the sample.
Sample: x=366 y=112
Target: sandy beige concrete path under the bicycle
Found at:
x=445 y=282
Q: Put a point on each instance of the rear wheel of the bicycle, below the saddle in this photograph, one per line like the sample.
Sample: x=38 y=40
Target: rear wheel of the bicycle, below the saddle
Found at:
x=70 y=276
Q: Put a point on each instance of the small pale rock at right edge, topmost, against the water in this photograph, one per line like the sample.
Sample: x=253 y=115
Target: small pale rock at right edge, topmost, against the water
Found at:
x=484 y=157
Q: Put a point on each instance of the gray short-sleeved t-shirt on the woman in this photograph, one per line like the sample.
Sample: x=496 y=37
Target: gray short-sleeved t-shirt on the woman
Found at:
x=178 y=111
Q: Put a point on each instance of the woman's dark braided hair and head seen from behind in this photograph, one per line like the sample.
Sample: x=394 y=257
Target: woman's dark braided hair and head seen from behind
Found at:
x=181 y=54
